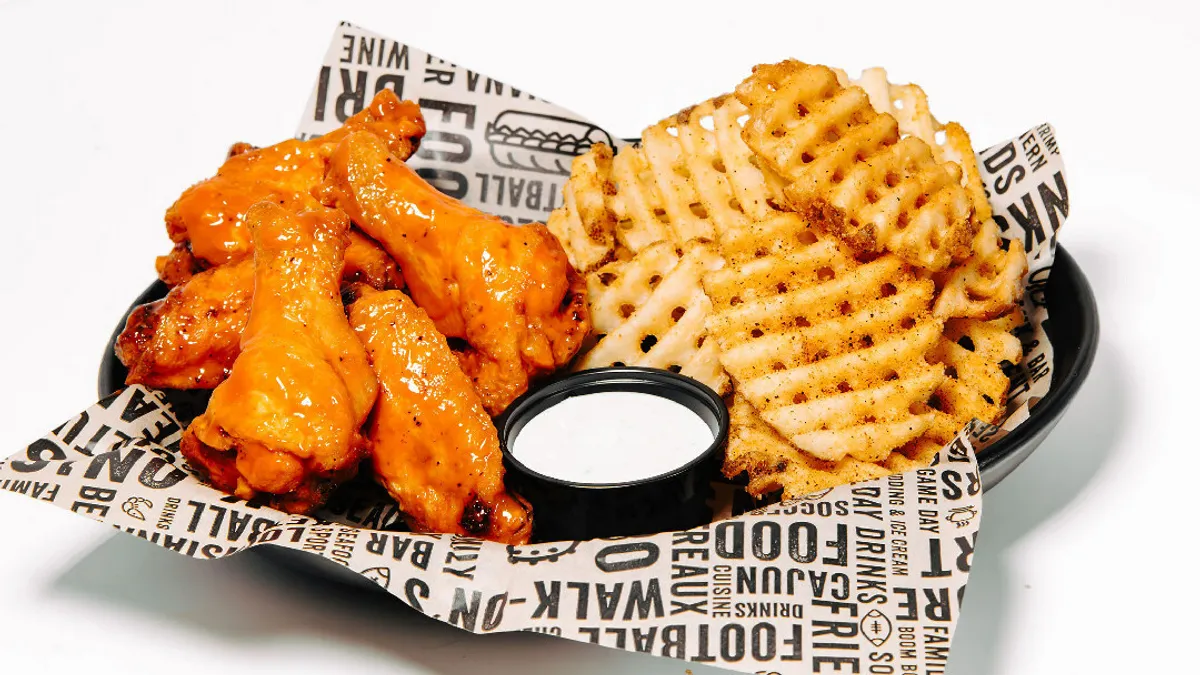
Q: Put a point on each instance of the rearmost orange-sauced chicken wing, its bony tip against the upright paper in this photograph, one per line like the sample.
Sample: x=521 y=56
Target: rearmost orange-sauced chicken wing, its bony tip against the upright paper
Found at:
x=208 y=223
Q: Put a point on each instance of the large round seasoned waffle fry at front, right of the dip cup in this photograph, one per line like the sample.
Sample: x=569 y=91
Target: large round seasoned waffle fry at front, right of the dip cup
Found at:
x=827 y=349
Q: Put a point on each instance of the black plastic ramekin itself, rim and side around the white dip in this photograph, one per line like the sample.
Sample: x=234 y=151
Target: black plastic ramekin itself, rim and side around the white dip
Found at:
x=671 y=501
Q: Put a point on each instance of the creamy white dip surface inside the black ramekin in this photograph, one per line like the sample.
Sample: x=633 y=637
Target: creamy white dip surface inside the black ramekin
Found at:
x=611 y=438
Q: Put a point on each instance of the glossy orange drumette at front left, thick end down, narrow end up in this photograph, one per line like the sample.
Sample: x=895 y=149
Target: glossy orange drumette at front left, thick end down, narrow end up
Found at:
x=286 y=425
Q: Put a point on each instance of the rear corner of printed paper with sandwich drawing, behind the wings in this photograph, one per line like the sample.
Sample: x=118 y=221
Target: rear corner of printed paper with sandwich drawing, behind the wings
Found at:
x=497 y=148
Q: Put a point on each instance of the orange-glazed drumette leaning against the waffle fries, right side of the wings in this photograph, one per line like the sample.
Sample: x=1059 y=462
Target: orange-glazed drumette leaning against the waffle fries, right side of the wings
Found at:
x=508 y=291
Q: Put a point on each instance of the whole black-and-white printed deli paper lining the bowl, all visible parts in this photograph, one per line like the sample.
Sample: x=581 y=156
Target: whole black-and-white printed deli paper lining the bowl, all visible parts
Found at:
x=865 y=578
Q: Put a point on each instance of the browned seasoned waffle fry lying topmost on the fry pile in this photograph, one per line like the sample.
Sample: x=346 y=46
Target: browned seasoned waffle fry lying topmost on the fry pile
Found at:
x=850 y=171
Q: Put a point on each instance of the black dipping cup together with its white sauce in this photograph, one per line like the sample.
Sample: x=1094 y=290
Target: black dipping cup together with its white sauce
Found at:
x=615 y=452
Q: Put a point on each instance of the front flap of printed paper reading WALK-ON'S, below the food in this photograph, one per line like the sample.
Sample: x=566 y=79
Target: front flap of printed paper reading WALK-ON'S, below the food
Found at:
x=859 y=575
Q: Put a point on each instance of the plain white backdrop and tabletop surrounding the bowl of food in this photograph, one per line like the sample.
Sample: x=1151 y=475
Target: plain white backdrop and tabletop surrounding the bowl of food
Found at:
x=110 y=110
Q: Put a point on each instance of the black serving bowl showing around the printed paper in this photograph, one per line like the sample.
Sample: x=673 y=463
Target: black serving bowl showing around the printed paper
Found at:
x=1075 y=332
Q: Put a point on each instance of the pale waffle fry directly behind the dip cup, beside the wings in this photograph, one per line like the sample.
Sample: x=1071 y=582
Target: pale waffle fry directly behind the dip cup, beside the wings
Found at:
x=650 y=312
